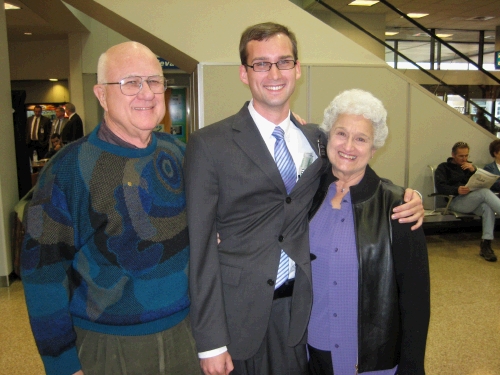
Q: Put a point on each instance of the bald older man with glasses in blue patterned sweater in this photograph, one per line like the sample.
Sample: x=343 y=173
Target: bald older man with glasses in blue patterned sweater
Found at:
x=104 y=261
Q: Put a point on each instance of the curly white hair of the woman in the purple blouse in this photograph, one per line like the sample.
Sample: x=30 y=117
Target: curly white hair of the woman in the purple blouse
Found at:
x=358 y=102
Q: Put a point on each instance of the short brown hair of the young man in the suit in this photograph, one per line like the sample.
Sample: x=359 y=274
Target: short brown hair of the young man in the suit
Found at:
x=264 y=31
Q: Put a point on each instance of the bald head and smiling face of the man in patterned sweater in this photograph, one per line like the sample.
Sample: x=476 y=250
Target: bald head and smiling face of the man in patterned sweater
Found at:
x=130 y=117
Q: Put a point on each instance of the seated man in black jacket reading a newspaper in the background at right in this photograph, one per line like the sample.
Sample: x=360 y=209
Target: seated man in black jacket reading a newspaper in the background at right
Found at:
x=451 y=178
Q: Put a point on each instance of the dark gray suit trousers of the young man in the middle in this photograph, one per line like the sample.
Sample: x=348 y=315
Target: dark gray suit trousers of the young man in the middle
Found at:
x=274 y=356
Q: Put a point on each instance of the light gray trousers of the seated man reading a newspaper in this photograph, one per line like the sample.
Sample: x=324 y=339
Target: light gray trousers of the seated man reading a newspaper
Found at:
x=481 y=202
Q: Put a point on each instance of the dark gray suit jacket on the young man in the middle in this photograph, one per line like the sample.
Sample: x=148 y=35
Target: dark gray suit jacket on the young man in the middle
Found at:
x=234 y=188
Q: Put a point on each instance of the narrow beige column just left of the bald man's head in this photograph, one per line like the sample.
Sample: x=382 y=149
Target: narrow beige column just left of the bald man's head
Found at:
x=75 y=41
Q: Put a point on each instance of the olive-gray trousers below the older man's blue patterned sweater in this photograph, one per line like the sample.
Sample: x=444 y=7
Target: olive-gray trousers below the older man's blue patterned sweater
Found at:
x=171 y=352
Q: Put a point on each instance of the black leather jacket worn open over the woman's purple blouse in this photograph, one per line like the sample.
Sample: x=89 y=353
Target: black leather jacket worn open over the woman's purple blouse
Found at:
x=394 y=286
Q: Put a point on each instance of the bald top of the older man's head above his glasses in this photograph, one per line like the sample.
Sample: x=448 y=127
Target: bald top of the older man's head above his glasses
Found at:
x=122 y=53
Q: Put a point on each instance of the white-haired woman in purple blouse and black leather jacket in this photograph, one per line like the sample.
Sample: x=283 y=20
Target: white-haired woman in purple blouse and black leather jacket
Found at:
x=371 y=305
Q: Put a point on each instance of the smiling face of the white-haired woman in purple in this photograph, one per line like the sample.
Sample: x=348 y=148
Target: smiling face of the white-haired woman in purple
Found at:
x=350 y=146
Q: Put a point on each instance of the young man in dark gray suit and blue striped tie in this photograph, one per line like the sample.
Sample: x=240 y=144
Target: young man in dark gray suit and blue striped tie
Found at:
x=243 y=315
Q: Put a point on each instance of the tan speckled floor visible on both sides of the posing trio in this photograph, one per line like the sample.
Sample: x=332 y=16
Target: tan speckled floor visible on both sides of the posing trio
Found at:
x=464 y=334
